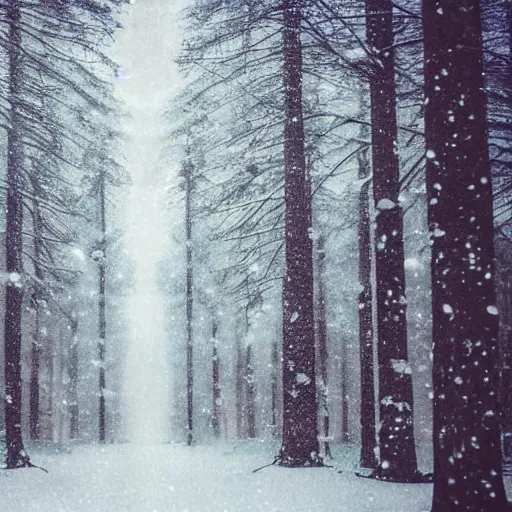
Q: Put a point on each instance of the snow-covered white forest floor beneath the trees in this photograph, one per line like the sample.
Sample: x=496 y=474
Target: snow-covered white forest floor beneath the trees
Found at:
x=175 y=478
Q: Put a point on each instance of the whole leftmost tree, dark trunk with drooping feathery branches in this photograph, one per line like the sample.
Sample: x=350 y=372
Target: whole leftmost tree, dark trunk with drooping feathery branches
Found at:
x=50 y=49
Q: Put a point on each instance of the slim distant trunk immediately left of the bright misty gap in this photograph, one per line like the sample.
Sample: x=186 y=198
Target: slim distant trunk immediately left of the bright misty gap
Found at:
x=102 y=313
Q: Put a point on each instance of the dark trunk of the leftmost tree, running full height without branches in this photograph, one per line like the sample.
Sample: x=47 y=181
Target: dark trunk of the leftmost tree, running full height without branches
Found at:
x=16 y=456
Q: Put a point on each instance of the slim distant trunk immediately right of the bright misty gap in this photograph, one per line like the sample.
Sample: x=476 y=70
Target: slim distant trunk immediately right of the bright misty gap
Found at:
x=187 y=174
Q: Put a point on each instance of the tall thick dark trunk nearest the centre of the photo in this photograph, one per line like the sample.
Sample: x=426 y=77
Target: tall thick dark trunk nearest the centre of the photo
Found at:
x=299 y=442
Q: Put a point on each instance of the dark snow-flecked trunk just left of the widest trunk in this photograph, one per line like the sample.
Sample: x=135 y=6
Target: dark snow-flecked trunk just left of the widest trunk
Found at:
x=396 y=433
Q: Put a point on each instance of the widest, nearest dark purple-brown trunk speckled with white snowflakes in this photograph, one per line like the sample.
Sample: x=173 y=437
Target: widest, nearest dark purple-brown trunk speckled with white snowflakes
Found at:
x=467 y=451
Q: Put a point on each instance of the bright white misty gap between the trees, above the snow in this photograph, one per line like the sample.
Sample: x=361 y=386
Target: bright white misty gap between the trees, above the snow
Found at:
x=146 y=50
